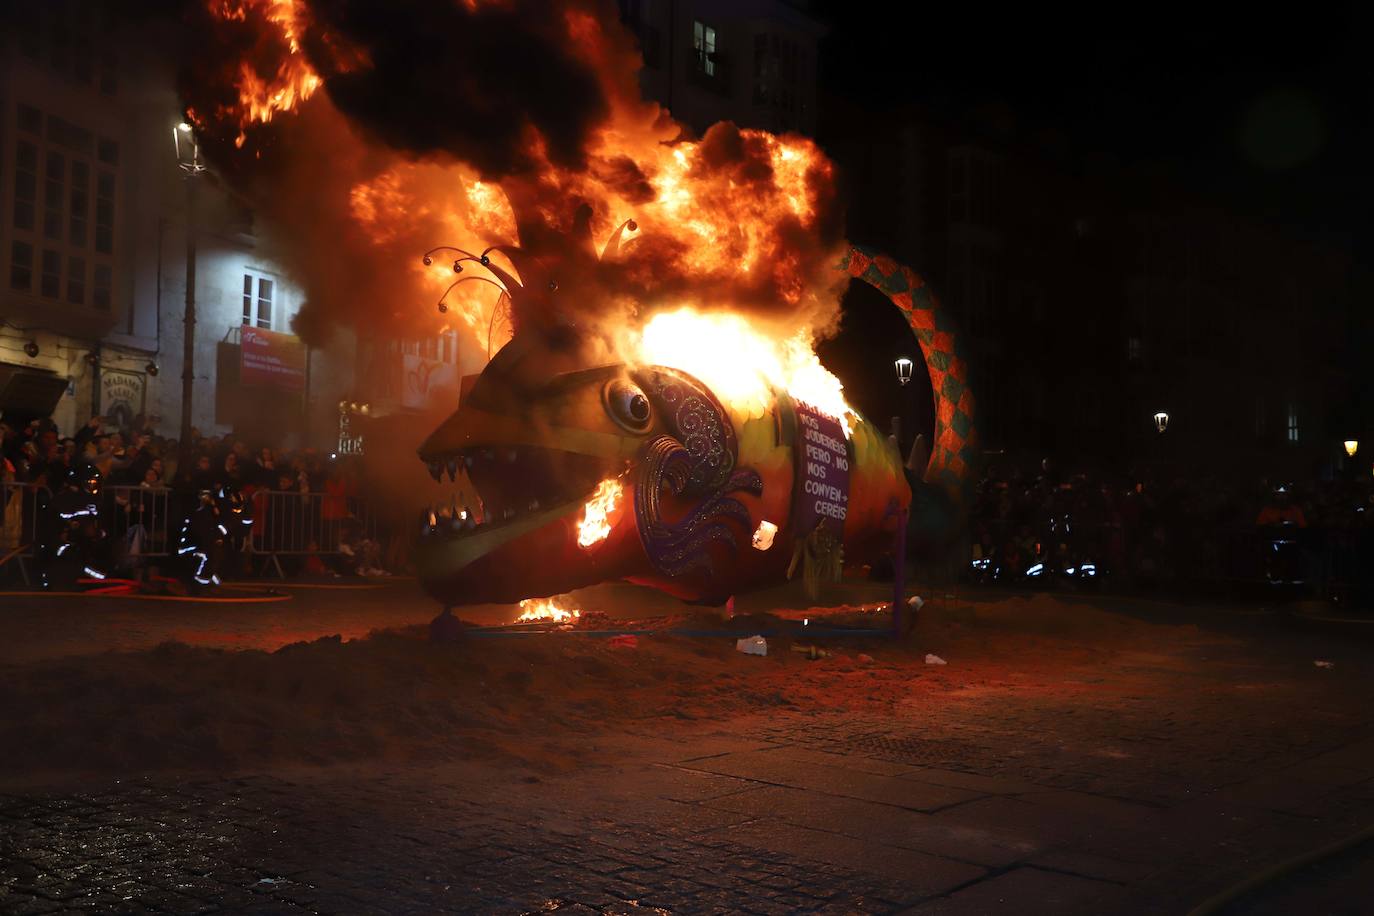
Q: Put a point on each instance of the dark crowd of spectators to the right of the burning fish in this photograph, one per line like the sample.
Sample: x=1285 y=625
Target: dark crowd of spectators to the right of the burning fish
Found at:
x=1151 y=532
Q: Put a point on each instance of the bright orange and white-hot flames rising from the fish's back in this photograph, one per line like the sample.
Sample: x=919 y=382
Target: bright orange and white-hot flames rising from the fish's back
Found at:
x=740 y=220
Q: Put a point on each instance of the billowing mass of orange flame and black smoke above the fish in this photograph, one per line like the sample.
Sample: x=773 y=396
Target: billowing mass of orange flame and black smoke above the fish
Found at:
x=372 y=133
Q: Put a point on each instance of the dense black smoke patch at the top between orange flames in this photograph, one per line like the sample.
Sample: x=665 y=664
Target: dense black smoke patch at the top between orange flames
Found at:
x=498 y=87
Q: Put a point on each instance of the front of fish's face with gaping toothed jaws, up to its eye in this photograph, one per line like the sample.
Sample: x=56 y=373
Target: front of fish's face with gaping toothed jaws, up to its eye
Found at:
x=523 y=480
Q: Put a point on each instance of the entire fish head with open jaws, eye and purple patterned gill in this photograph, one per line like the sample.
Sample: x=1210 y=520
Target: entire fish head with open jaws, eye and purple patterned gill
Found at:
x=568 y=476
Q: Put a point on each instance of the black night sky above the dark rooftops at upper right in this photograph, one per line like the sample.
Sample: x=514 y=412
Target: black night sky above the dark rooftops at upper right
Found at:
x=1270 y=112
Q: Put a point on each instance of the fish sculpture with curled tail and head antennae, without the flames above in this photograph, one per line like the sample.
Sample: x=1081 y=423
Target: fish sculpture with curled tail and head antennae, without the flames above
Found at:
x=576 y=470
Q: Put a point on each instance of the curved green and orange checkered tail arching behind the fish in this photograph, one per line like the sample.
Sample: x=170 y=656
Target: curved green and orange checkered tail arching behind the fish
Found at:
x=953 y=455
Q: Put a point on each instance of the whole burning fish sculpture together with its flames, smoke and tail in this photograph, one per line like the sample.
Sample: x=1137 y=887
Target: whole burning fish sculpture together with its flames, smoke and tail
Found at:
x=675 y=462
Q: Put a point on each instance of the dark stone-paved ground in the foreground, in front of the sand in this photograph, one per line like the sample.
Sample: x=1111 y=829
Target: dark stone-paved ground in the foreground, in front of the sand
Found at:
x=1159 y=779
